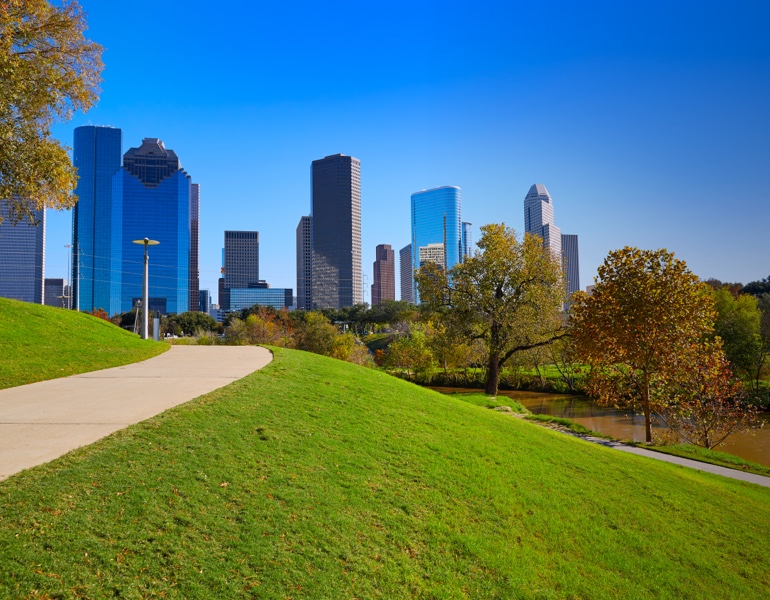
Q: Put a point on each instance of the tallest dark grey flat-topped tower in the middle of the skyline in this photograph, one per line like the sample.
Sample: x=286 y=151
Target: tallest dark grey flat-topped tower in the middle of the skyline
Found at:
x=336 y=232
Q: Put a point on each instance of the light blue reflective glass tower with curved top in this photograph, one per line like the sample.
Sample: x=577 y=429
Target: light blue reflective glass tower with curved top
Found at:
x=436 y=229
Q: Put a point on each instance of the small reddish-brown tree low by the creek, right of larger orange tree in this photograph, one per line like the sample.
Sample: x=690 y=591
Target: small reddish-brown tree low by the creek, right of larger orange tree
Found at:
x=706 y=403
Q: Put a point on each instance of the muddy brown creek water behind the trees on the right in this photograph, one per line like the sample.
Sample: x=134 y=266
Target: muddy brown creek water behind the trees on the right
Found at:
x=624 y=425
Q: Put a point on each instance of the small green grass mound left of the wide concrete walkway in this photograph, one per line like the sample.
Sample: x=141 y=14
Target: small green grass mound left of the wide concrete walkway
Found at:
x=43 y=342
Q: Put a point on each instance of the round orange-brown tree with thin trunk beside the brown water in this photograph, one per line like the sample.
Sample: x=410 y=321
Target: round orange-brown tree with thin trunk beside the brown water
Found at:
x=637 y=328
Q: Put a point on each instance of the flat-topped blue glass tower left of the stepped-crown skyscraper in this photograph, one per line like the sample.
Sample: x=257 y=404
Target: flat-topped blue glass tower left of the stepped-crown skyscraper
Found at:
x=96 y=155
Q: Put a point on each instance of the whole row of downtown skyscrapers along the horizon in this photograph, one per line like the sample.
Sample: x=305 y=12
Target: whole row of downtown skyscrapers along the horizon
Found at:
x=148 y=194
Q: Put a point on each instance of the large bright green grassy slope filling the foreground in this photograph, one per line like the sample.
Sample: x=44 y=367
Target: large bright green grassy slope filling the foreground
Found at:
x=314 y=478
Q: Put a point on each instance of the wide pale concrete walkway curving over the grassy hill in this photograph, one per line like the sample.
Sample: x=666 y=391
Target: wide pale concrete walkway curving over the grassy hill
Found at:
x=42 y=421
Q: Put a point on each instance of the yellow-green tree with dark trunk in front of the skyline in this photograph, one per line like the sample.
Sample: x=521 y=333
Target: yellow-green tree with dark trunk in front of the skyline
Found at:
x=509 y=295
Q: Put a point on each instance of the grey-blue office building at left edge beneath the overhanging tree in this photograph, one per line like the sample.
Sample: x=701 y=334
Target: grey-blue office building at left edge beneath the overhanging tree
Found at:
x=22 y=252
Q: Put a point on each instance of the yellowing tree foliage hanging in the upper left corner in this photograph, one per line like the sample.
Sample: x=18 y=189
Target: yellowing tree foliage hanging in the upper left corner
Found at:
x=48 y=70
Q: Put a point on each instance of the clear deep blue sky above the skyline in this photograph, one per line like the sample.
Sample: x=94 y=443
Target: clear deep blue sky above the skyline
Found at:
x=649 y=123
